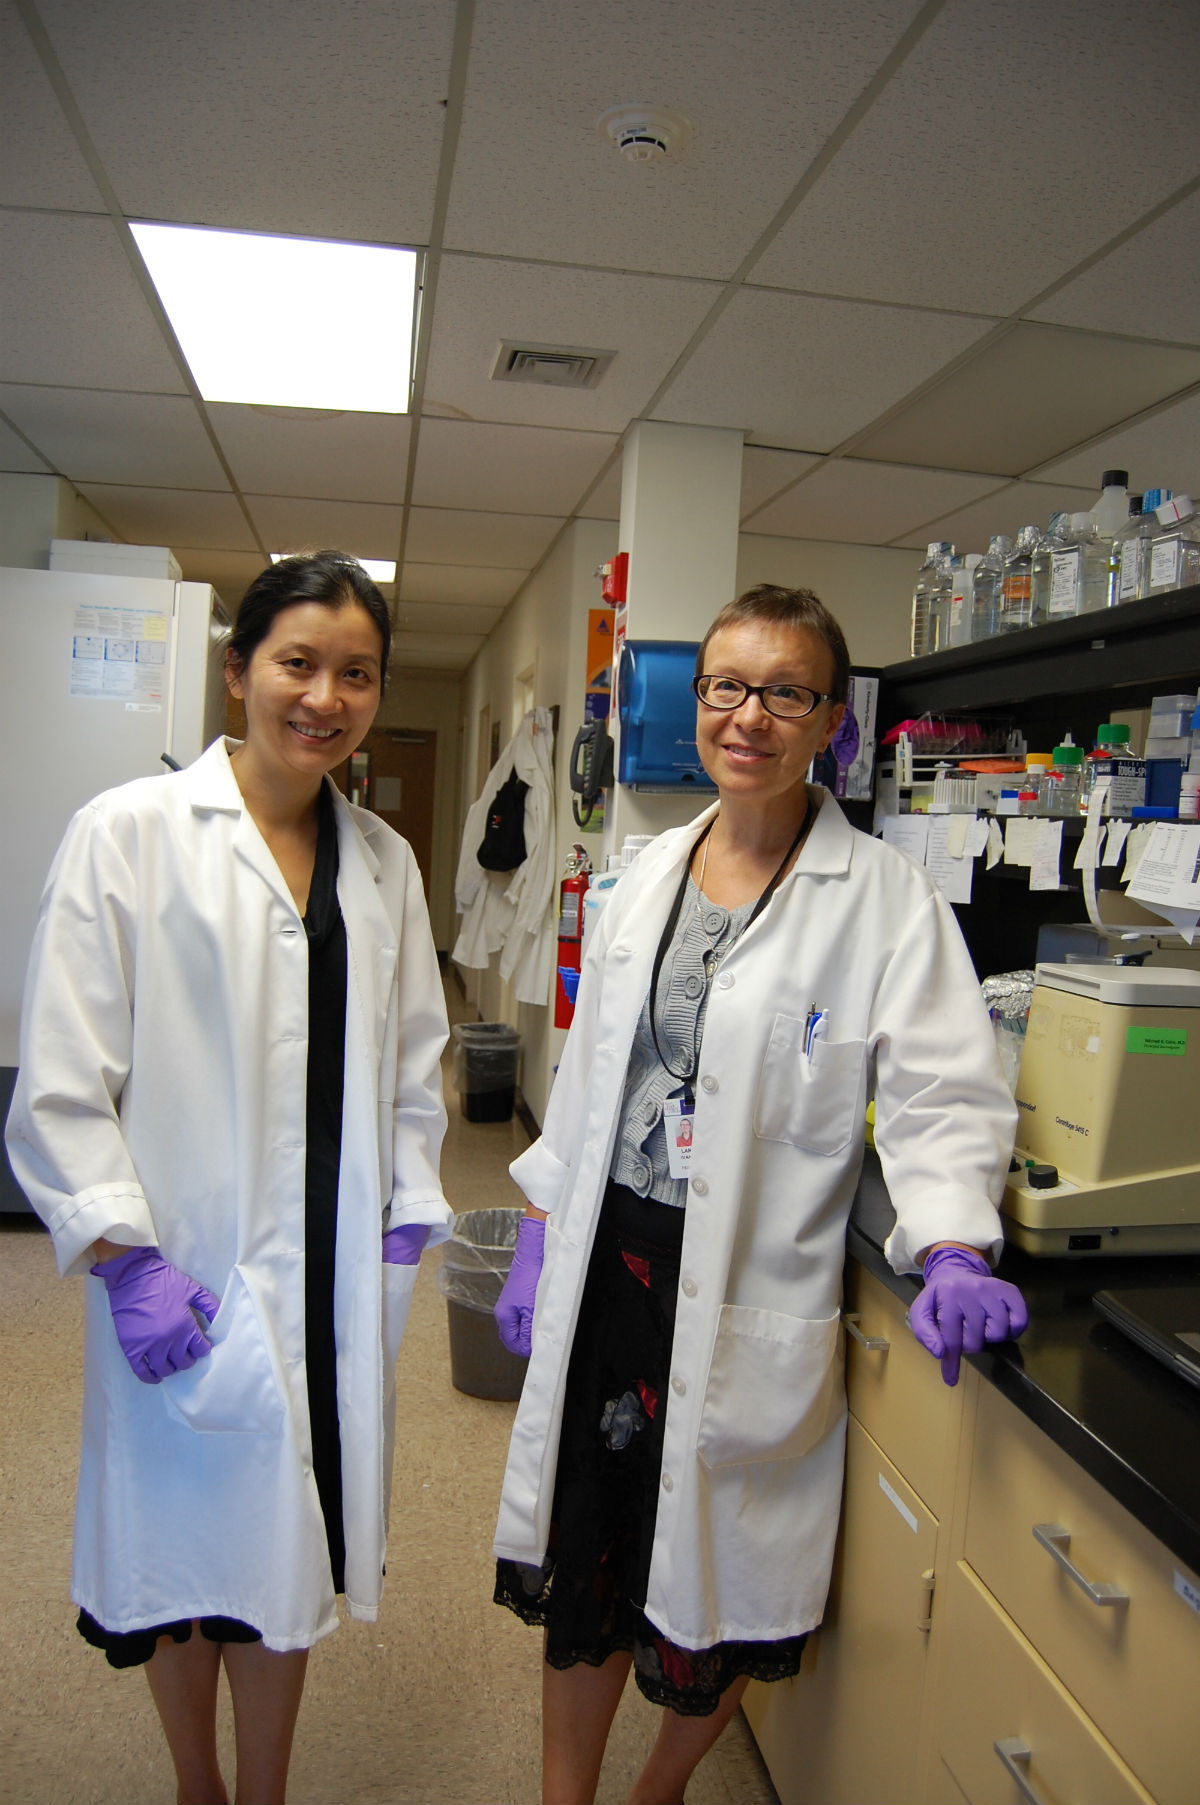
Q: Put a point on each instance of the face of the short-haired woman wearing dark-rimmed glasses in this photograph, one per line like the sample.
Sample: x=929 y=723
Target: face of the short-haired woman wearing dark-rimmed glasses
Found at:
x=748 y=752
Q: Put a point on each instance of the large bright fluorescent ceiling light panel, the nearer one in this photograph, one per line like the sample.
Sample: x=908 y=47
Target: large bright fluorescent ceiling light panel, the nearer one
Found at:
x=288 y=322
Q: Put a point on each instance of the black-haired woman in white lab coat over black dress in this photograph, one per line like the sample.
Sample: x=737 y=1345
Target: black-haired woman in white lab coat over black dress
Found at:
x=230 y=1116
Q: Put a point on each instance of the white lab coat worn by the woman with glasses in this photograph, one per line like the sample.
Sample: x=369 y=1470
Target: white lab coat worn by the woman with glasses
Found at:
x=755 y=1412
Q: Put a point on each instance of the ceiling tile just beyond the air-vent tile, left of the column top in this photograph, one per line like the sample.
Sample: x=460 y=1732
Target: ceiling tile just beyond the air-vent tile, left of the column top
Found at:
x=506 y=468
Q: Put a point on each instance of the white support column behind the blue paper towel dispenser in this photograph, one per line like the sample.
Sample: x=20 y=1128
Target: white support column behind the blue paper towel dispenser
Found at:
x=681 y=490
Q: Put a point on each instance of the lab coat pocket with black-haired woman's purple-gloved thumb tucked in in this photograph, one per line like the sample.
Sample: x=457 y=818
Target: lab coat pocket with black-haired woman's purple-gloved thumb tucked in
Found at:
x=234 y=1389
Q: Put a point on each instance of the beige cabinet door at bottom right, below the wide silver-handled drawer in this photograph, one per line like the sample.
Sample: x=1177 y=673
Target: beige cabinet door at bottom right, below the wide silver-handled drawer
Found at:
x=999 y=1692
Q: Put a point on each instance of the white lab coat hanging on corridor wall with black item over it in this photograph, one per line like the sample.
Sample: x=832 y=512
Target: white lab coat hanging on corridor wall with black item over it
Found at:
x=513 y=914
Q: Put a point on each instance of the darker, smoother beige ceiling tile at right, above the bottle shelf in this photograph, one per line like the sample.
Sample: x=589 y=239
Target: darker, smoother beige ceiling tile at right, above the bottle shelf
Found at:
x=1028 y=396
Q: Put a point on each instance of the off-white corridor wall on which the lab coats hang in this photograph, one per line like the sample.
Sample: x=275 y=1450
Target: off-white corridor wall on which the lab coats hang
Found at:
x=544 y=629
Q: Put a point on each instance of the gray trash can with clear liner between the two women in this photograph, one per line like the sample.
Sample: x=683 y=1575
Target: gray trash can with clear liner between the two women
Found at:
x=475 y=1264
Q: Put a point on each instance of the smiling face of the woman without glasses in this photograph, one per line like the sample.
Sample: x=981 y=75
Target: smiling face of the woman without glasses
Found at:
x=311 y=689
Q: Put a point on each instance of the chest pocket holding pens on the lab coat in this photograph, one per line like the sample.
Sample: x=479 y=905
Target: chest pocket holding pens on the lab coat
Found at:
x=811 y=1100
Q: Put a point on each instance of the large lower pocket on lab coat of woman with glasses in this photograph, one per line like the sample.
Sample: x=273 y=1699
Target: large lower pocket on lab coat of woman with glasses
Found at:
x=773 y=1387
